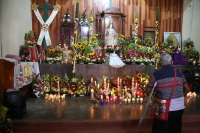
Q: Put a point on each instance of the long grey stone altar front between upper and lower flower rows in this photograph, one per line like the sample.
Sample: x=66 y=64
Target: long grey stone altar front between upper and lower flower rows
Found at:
x=97 y=70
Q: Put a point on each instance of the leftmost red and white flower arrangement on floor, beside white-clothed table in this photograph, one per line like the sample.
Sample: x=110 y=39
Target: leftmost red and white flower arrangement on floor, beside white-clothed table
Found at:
x=41 y=85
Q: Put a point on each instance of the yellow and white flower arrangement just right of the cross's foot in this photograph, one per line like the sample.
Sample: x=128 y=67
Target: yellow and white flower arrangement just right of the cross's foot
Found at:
x=54 y=54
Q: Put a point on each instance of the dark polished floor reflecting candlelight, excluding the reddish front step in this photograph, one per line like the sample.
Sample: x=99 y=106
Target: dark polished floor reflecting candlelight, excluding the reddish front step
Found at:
x=82 y=109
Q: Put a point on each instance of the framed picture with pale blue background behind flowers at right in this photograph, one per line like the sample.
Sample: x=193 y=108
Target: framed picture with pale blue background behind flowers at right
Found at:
x=175 y=36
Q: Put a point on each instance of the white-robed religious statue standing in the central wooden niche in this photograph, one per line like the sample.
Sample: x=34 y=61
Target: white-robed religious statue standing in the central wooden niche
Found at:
x=111 y=36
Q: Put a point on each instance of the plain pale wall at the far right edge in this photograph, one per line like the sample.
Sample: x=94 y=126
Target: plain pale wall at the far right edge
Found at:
x=191 y=19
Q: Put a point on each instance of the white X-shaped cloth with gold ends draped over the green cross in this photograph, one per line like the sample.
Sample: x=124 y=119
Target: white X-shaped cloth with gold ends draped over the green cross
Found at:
x=44 y=33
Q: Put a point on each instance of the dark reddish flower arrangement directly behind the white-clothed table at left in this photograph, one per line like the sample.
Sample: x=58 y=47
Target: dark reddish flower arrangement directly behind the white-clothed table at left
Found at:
x=24 y=53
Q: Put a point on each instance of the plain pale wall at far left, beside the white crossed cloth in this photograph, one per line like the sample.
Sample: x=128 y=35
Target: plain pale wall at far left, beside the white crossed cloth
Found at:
x=16 y=21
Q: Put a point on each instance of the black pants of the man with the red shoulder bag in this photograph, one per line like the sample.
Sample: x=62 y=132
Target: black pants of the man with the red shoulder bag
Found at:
x=172 y=125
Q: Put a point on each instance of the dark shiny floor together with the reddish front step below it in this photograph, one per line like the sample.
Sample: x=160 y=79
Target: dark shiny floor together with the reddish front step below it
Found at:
x=78 y=115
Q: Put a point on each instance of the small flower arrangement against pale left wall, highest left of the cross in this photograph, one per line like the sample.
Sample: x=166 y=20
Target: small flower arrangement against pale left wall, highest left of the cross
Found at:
x=30 y=38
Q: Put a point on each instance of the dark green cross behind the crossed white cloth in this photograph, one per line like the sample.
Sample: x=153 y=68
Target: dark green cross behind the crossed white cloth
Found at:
x=46 y=7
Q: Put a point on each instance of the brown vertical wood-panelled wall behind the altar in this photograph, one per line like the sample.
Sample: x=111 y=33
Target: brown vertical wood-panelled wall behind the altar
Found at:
x=170 y=15
